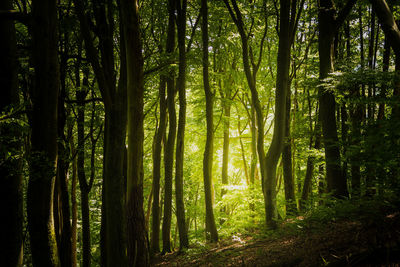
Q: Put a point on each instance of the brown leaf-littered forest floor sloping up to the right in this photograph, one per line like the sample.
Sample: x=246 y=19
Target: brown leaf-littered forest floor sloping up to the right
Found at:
x=367 y=238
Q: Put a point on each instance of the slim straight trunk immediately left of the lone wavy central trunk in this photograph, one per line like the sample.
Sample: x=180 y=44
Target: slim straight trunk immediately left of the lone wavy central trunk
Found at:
x=180 y=144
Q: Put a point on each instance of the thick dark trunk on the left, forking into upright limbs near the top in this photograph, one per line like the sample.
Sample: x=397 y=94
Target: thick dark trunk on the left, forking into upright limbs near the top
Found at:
x=113 y=239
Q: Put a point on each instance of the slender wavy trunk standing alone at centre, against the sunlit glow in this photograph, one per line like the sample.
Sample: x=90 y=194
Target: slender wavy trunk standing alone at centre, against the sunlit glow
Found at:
x=211 y=229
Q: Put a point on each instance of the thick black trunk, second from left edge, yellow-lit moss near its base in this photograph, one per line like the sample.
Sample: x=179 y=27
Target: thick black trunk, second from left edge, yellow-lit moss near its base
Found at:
x=43 y=156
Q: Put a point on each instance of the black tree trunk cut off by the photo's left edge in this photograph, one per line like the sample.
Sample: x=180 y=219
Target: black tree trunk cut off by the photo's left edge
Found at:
x=10 y=167
